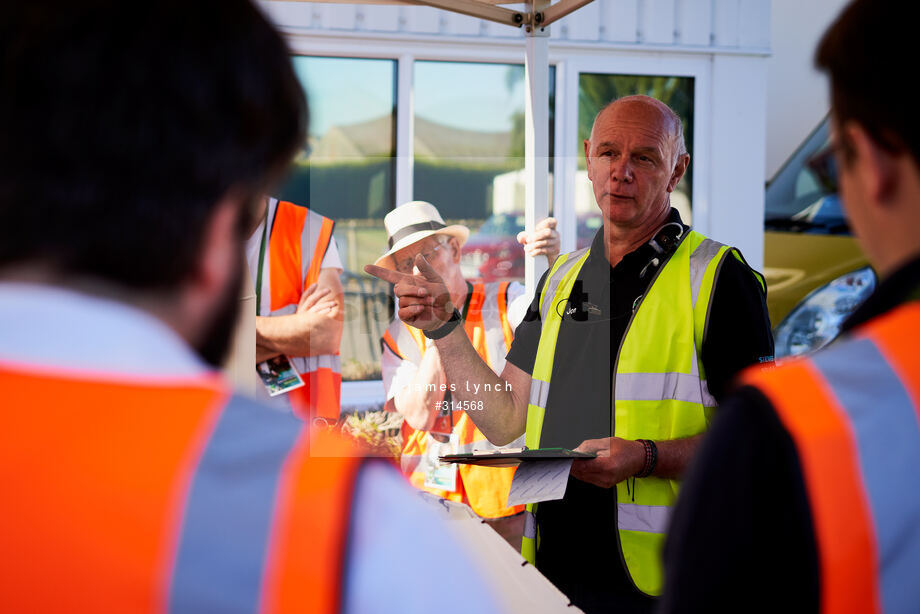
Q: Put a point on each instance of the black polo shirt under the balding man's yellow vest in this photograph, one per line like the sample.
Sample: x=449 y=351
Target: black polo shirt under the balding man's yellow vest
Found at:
x=579 y=545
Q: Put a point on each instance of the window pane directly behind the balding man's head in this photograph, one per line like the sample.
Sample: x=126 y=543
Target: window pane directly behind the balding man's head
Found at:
x=595 y=91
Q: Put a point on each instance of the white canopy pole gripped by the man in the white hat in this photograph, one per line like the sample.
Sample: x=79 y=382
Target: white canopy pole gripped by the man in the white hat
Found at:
x=536 y=137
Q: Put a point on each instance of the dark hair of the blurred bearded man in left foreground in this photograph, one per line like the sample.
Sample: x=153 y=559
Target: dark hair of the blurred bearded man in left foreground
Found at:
x=122 y=124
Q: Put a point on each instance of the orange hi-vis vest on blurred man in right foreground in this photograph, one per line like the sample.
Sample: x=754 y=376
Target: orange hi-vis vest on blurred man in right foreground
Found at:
x=853 y=412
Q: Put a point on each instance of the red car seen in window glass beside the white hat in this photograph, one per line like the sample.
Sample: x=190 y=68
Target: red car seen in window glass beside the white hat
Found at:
x=492 y=253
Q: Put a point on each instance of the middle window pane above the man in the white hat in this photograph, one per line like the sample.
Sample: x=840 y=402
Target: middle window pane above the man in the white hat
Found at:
x=469 y=157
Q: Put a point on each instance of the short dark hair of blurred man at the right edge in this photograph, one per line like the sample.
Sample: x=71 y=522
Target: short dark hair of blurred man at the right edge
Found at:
x=868 y=52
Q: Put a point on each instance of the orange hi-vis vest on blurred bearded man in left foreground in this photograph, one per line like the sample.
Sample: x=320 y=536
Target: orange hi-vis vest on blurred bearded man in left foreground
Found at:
x=164 y=495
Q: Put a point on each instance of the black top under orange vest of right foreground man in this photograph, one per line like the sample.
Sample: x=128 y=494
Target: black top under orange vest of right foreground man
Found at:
x=742 y=537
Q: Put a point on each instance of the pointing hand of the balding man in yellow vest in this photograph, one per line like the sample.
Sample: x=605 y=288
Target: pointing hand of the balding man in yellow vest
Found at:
x=424 y=301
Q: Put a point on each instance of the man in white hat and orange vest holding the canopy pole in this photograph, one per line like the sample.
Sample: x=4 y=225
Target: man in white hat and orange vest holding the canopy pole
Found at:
x=414 y=378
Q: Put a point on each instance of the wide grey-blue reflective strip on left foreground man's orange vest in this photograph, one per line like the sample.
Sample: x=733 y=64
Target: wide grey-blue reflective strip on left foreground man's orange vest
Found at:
x=202 y=582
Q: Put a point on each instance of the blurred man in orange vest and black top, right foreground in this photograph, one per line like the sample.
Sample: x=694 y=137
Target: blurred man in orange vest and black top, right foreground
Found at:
x=804 y=496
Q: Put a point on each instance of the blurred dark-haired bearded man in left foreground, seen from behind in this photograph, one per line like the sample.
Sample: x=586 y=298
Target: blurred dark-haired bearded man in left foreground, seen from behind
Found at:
x=136 y=139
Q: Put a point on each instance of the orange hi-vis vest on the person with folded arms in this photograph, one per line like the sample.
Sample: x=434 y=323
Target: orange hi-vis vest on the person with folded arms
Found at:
x=296 y=231
